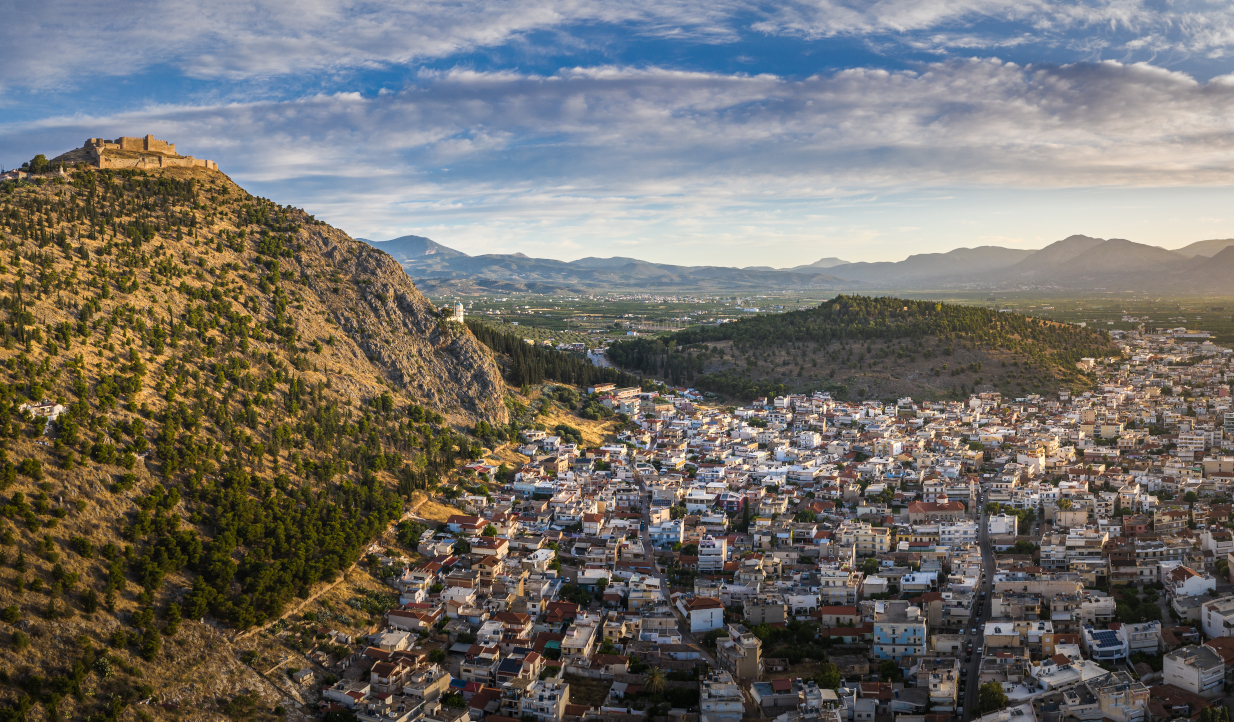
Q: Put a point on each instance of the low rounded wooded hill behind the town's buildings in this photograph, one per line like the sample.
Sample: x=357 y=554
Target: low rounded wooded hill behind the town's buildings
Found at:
x=871 y=347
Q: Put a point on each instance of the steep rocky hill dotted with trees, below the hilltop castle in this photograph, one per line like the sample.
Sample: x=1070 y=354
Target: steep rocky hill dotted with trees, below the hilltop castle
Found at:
x=240 y=400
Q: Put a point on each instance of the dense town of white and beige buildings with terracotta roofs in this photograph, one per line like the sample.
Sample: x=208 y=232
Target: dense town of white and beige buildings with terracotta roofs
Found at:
x=964 y=542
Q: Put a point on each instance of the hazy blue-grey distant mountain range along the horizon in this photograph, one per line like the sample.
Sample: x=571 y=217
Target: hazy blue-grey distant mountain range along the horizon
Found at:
x=1079 y=263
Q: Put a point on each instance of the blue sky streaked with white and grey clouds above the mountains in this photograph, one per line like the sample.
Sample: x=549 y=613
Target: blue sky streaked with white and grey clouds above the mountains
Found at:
x=708 y=133
